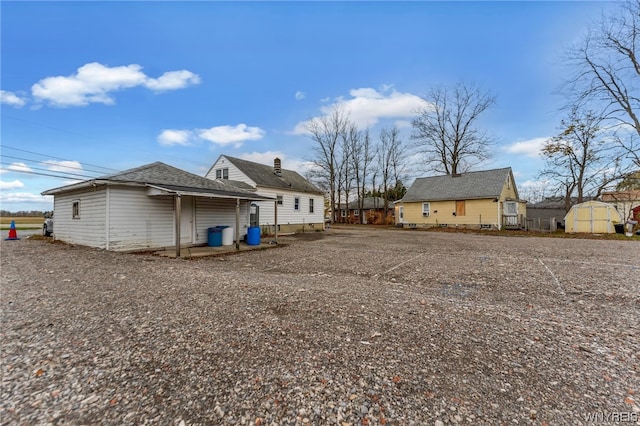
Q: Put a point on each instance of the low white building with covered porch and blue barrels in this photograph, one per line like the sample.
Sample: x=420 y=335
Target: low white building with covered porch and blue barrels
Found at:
x=152 y=206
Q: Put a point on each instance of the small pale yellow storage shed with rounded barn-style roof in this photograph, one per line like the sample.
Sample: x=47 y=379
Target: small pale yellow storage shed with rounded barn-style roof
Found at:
x=592 y=217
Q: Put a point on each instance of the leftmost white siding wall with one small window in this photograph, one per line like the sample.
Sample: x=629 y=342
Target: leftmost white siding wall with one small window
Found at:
x=89 y=228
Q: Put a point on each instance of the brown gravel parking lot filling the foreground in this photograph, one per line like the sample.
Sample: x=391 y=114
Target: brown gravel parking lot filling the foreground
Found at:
x=350 y=327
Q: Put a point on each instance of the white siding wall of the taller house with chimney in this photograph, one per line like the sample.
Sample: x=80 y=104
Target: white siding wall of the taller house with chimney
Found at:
x=287 y=215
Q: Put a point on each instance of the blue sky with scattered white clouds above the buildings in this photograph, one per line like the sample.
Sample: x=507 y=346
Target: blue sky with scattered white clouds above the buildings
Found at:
x=95 y=87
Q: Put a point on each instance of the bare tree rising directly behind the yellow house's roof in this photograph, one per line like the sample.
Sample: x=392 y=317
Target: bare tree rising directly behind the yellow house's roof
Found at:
x=447 y=132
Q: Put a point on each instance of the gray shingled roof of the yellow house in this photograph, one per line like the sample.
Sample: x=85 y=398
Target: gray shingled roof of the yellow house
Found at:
x=466 y=186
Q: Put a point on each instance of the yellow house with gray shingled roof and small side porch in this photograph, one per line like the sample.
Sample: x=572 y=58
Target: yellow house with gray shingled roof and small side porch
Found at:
x=483 y=199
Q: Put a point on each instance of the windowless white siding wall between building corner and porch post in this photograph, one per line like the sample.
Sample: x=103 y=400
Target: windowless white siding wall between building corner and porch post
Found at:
x=138 y=221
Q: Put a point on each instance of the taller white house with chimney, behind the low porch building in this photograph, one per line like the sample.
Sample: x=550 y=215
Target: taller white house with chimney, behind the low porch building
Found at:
x=299 y=205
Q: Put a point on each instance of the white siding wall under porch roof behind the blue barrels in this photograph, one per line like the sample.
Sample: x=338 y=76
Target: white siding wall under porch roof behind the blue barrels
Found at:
x=212 y=212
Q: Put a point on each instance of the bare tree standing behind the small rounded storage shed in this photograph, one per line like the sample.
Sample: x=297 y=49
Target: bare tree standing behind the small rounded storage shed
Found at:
x=581 y=159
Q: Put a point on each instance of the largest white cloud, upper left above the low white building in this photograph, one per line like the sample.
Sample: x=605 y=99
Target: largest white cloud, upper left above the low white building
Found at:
x=94 y=82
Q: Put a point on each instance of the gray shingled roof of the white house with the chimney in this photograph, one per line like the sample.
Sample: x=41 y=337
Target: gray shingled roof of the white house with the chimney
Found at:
x=264 y=175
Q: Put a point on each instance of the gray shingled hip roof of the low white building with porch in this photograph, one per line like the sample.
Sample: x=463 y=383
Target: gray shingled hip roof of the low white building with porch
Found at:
x=168 y=177
